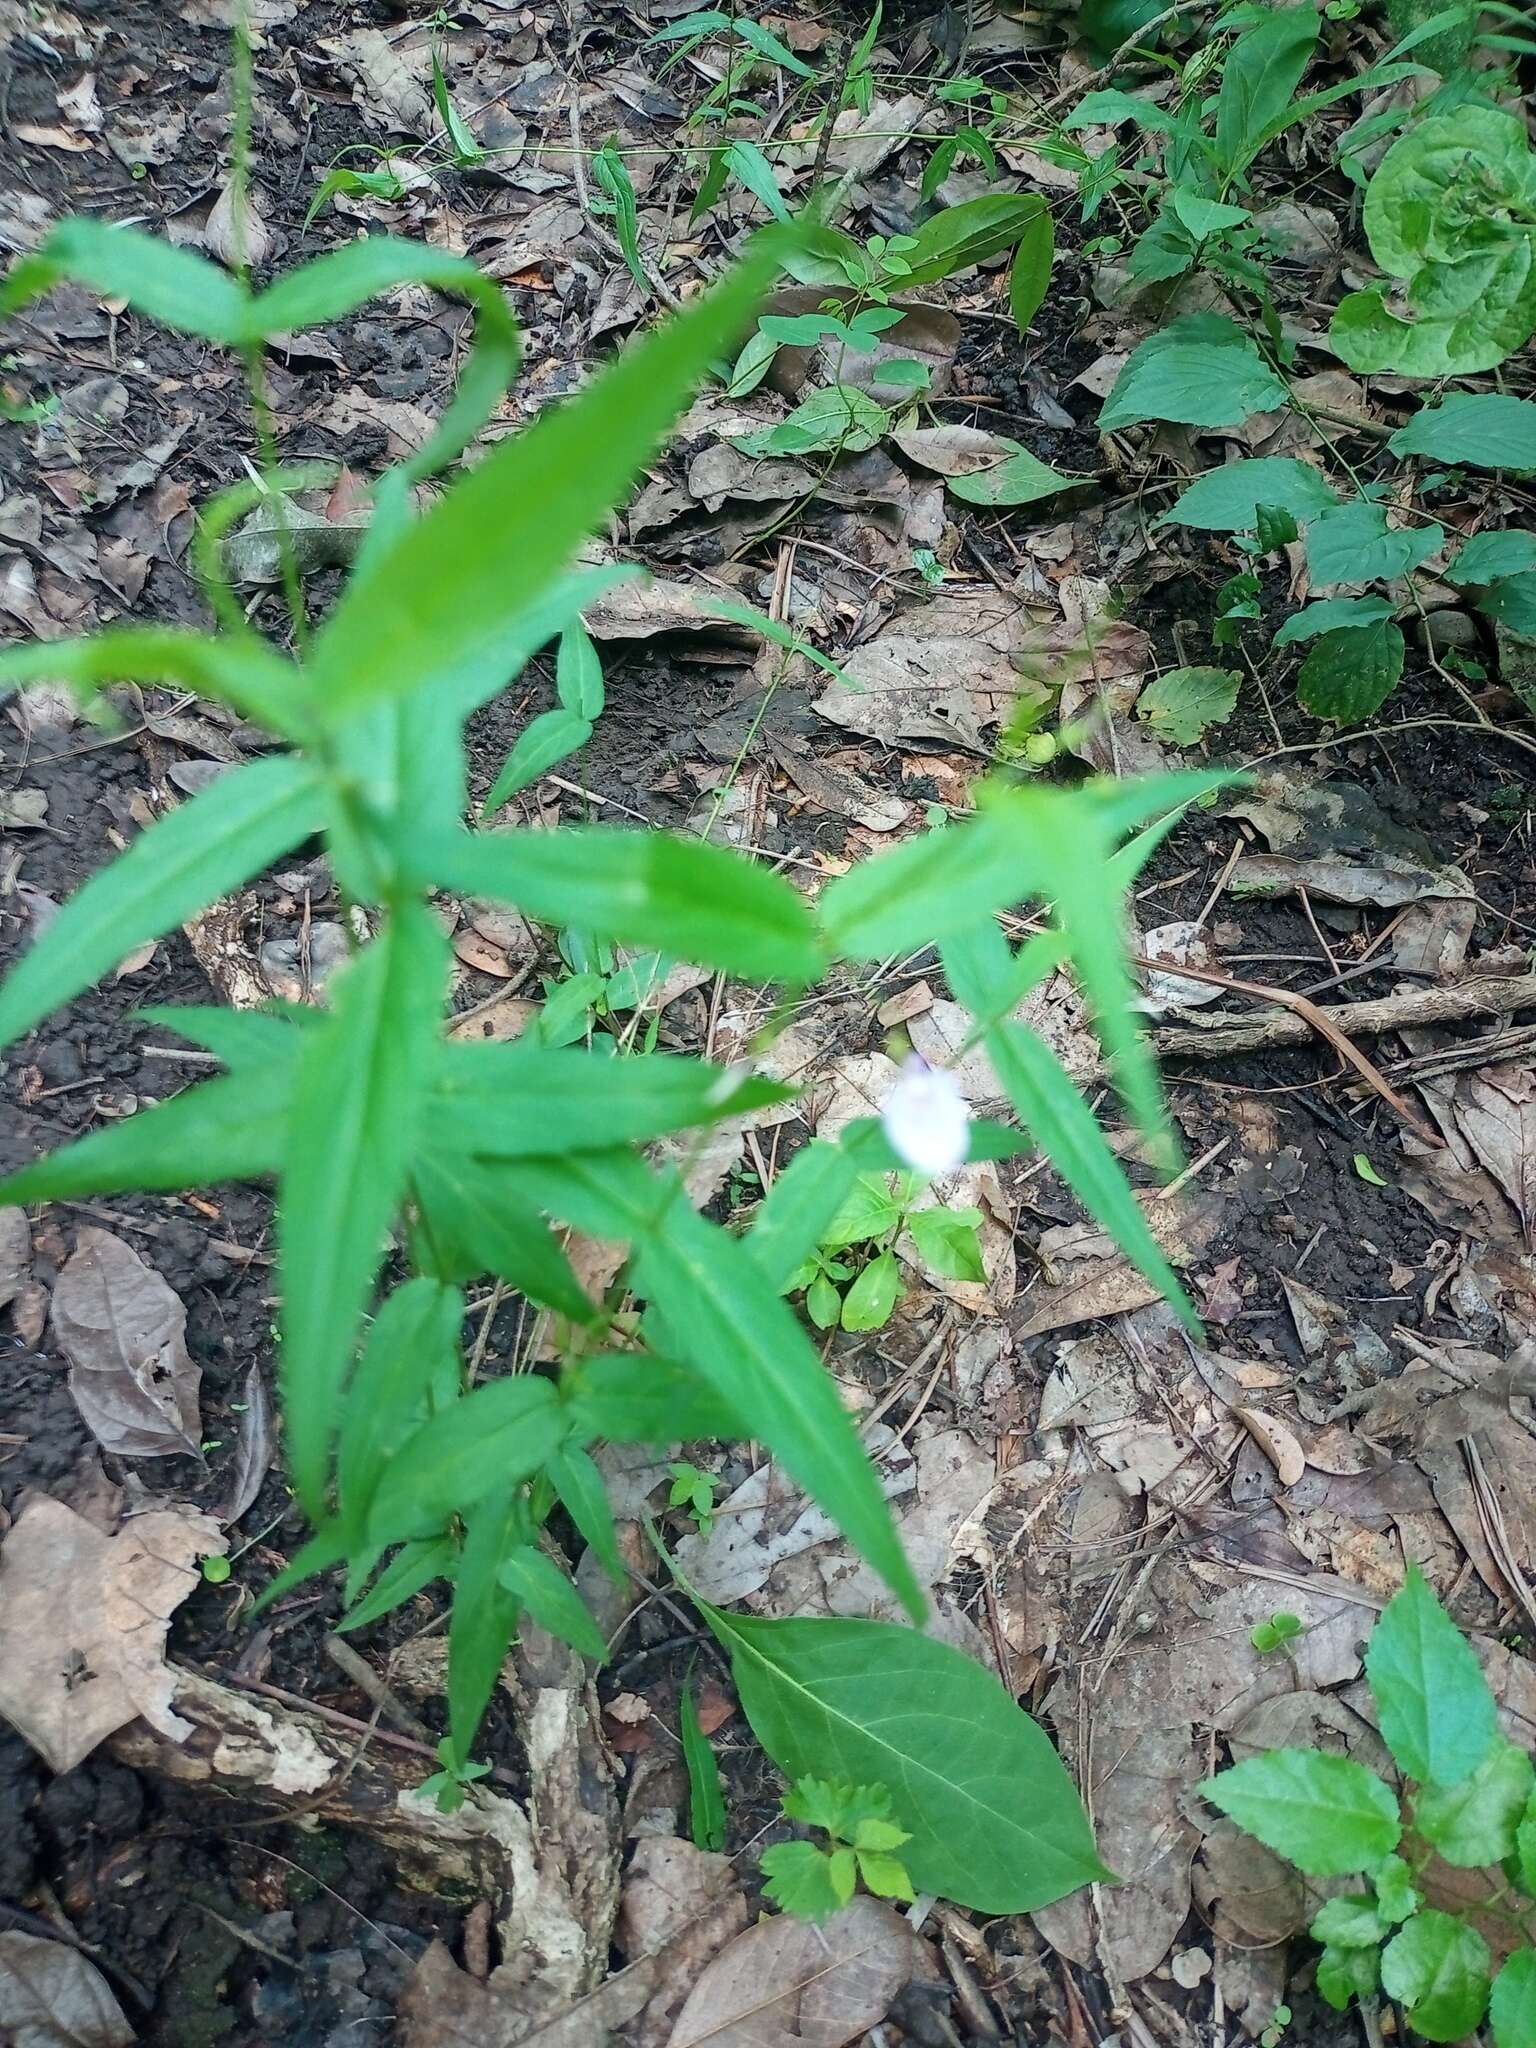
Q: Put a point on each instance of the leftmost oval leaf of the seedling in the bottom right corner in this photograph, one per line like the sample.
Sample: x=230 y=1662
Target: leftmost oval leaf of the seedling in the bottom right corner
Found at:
x=1324 y=1814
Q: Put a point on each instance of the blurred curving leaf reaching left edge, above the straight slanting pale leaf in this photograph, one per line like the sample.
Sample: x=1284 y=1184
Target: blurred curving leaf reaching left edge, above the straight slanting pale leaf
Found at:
x=243 y=673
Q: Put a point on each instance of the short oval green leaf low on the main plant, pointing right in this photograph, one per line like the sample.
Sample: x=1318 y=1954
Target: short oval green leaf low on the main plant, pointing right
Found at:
x=488 y=1441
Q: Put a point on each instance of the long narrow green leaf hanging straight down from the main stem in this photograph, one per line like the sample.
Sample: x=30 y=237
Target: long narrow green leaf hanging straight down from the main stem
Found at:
x=361 y=1084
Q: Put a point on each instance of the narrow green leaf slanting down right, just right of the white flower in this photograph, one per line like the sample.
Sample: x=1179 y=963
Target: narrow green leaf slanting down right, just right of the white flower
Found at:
x=1078 y=1150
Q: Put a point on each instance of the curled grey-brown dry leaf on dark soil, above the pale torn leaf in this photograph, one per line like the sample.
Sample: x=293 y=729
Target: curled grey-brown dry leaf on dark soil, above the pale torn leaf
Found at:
x=126 y=1338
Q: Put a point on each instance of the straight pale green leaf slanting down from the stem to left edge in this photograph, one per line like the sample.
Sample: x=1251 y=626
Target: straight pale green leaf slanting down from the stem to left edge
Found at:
x=191 y=857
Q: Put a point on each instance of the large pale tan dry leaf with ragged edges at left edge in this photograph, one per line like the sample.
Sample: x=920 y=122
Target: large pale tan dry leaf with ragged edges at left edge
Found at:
x=83 y=1623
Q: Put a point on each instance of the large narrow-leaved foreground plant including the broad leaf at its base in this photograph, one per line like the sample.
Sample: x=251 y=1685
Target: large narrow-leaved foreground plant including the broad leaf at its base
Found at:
x=380 y=1129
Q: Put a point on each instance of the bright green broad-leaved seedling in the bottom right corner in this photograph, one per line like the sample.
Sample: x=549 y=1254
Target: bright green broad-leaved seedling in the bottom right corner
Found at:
x=1467 y=1801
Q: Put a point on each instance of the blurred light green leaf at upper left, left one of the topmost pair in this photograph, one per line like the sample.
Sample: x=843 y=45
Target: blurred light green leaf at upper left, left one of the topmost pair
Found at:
x=159 y=280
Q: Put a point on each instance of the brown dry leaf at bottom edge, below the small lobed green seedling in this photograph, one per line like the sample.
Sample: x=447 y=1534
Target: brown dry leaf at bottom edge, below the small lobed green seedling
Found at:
x=790 y=1986
